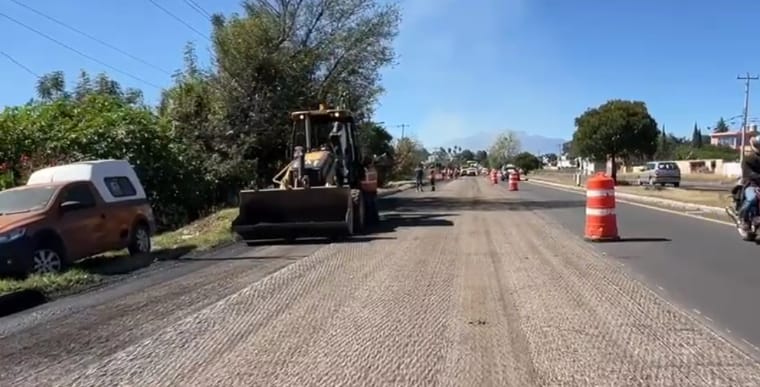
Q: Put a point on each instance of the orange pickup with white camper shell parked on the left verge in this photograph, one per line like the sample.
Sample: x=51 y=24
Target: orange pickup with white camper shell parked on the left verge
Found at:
x=69 y=212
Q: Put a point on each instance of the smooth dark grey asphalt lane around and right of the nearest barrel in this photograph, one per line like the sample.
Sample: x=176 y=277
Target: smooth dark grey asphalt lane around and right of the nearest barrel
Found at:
x=702 y=265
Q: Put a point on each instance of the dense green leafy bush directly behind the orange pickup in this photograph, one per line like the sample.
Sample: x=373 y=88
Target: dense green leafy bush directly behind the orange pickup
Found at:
x=103 y=127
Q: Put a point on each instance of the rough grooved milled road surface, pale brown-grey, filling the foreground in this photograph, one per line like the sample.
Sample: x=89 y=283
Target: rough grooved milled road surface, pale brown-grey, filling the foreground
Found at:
x=470 y=285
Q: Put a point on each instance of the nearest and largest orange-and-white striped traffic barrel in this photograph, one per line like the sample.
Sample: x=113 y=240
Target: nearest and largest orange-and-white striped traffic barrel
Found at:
x=601 y=221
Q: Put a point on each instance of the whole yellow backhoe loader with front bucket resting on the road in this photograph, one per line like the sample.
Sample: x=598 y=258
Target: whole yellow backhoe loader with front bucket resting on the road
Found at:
x=326 y=186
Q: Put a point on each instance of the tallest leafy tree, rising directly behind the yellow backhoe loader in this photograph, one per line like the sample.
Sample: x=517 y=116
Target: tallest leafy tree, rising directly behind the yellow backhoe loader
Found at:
x=277 y=57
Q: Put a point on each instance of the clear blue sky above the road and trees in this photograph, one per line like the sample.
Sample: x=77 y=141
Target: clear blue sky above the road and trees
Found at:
x=465 y=67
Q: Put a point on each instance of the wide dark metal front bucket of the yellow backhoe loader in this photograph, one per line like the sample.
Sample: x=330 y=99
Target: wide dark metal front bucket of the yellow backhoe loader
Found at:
x=275 y=213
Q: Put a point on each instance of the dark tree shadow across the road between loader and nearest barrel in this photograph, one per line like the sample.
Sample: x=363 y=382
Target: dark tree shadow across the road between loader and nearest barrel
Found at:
x=407 y=204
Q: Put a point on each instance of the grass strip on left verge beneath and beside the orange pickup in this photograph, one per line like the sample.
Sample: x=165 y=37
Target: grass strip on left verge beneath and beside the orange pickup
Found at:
x=203 y=234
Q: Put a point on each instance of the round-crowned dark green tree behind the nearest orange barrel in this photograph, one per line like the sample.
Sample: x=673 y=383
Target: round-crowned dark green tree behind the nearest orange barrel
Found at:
x=616 y=129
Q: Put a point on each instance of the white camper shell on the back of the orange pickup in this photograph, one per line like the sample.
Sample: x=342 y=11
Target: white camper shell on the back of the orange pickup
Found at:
x=105 y=175
